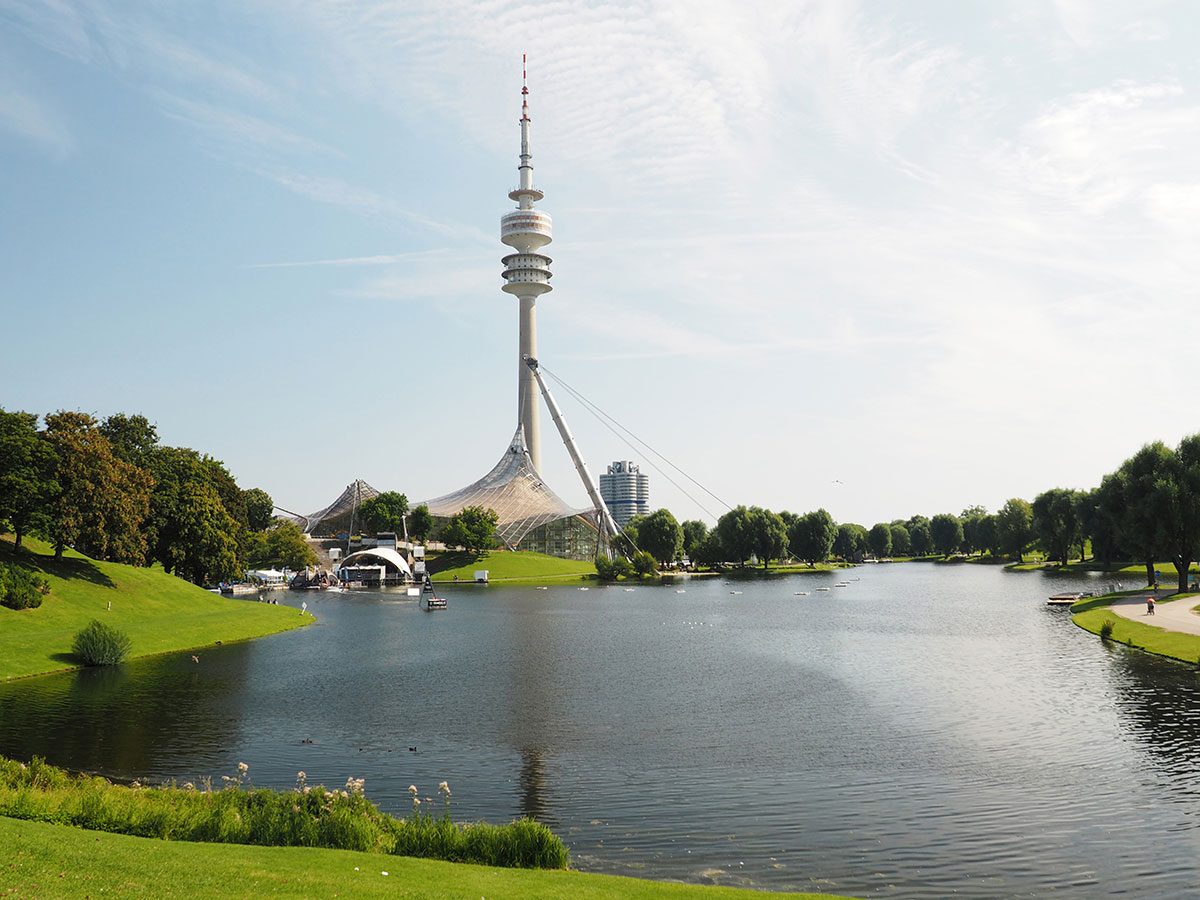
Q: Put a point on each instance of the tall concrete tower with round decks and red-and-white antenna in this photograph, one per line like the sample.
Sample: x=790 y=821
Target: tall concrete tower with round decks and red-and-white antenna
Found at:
x=527 y=275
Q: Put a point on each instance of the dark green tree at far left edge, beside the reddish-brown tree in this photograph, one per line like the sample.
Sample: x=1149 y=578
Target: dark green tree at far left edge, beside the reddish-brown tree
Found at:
x=28 y=467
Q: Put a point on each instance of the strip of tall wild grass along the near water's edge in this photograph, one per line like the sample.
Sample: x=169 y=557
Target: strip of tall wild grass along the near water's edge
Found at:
x=309 y=817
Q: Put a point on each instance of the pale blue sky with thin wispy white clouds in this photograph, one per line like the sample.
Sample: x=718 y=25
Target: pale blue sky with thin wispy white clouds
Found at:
x=873 y=257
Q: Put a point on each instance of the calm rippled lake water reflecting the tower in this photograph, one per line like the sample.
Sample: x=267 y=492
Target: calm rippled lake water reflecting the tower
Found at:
x=929 y=731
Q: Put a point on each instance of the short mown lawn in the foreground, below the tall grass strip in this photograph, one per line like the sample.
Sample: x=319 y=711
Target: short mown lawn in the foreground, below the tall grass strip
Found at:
x=52 y=862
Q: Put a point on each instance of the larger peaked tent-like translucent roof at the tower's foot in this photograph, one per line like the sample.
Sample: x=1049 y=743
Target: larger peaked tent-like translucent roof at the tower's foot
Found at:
x=515 y=490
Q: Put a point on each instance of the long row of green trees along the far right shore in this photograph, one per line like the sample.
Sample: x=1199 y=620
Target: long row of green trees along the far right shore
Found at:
x=1147 y=512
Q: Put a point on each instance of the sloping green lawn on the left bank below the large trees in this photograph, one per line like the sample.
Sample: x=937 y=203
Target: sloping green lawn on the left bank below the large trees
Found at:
x=158 y=611
